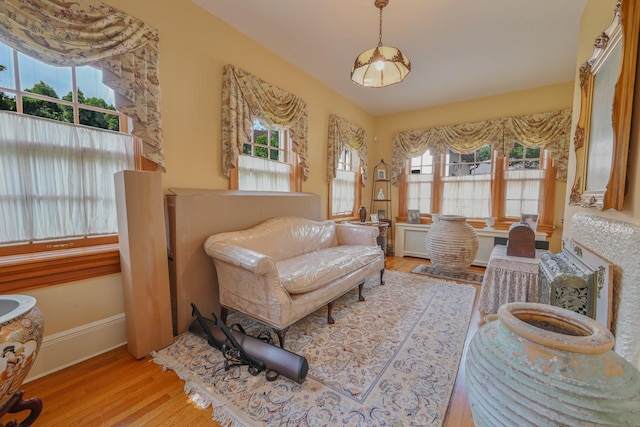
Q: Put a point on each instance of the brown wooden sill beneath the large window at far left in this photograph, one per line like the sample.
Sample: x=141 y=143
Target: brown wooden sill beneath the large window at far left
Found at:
x=34 y=270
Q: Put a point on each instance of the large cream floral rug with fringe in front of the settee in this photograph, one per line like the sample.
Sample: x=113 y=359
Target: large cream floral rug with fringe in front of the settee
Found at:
x=390 y=360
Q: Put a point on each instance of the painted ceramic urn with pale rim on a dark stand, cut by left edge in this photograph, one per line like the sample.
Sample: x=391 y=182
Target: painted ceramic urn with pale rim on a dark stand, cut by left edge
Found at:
x=21 y=329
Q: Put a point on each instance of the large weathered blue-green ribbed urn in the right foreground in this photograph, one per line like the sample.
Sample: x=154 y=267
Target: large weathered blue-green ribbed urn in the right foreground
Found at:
x=541 y=365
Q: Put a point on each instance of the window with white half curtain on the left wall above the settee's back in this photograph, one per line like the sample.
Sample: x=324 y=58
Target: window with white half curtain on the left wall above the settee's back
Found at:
x=264 y=163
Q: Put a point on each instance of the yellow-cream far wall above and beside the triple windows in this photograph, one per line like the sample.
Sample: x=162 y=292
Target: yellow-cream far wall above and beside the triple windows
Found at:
x=547 y=98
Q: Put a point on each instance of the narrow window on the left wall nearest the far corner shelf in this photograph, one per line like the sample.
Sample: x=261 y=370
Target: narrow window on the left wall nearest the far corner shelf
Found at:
x=345 y=193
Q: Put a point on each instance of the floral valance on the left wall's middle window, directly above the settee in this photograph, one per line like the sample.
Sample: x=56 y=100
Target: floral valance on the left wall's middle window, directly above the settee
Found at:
x=244 y=97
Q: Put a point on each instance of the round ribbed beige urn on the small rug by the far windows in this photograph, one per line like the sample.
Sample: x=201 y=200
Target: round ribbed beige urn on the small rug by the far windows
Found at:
x=452 y=244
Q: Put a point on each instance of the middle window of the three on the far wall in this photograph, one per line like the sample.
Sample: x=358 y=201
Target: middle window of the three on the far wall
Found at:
x=467 y=183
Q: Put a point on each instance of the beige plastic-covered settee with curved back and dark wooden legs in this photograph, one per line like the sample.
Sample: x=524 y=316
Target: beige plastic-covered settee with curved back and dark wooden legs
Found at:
x=285 y=268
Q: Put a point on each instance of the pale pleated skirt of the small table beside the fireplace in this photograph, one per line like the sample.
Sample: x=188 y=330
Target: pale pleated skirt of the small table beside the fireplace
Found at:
x=509 y=279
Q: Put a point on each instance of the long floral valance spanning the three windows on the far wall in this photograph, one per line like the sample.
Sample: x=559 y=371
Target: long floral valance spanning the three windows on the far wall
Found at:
x=549 y=130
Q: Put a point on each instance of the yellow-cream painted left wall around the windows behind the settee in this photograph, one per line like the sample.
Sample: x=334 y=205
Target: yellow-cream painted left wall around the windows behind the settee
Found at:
x=194 y=47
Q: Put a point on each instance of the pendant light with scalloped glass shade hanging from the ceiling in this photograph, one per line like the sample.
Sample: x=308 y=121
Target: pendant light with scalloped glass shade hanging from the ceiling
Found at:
x=381 y=66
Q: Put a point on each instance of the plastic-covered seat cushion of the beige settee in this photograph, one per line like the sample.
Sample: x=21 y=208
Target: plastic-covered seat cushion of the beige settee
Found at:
x=319 y=268
